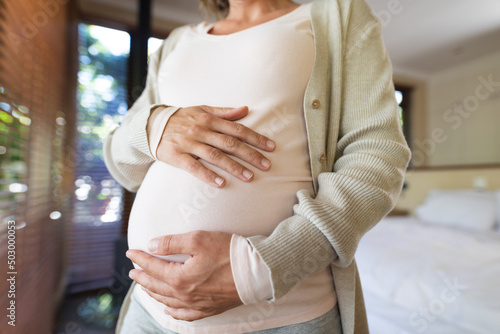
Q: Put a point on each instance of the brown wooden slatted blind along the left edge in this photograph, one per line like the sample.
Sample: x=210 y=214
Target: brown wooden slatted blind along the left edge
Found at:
x=34 y=95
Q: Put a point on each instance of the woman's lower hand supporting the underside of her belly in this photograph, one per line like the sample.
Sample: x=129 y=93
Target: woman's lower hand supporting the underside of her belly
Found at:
x=200 y=287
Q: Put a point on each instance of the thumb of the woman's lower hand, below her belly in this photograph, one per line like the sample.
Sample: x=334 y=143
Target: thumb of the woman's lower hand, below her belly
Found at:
x=172 y=244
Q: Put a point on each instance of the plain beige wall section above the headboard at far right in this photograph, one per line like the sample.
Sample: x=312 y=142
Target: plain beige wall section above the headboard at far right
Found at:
x=463 y=115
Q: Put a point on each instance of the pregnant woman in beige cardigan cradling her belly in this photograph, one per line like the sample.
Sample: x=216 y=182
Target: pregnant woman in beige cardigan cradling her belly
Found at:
x=262 y=149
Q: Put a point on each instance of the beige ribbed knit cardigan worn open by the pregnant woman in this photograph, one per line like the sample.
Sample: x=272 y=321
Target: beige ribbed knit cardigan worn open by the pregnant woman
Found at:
x=358 y=154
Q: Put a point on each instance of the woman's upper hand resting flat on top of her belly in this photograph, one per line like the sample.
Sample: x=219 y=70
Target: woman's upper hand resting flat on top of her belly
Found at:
x=210 y=133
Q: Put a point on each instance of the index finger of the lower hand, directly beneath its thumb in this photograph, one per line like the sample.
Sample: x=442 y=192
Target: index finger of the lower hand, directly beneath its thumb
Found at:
x=165 y=271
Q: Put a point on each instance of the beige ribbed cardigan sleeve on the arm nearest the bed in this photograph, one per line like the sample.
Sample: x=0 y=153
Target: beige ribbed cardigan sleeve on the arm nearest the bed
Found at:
x=368 y=170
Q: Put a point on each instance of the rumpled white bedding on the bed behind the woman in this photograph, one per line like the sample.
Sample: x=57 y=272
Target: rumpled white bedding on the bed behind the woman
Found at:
x=420 y=278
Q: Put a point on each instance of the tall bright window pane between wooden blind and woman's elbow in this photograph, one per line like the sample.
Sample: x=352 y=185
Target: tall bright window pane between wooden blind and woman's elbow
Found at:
x=102 y=103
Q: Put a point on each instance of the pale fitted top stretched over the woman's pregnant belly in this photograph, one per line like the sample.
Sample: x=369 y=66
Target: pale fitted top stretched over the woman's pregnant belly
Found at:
x=265 y=67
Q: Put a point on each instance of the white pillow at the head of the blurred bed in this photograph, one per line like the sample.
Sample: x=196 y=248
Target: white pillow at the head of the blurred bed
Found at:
x=468 y=209
